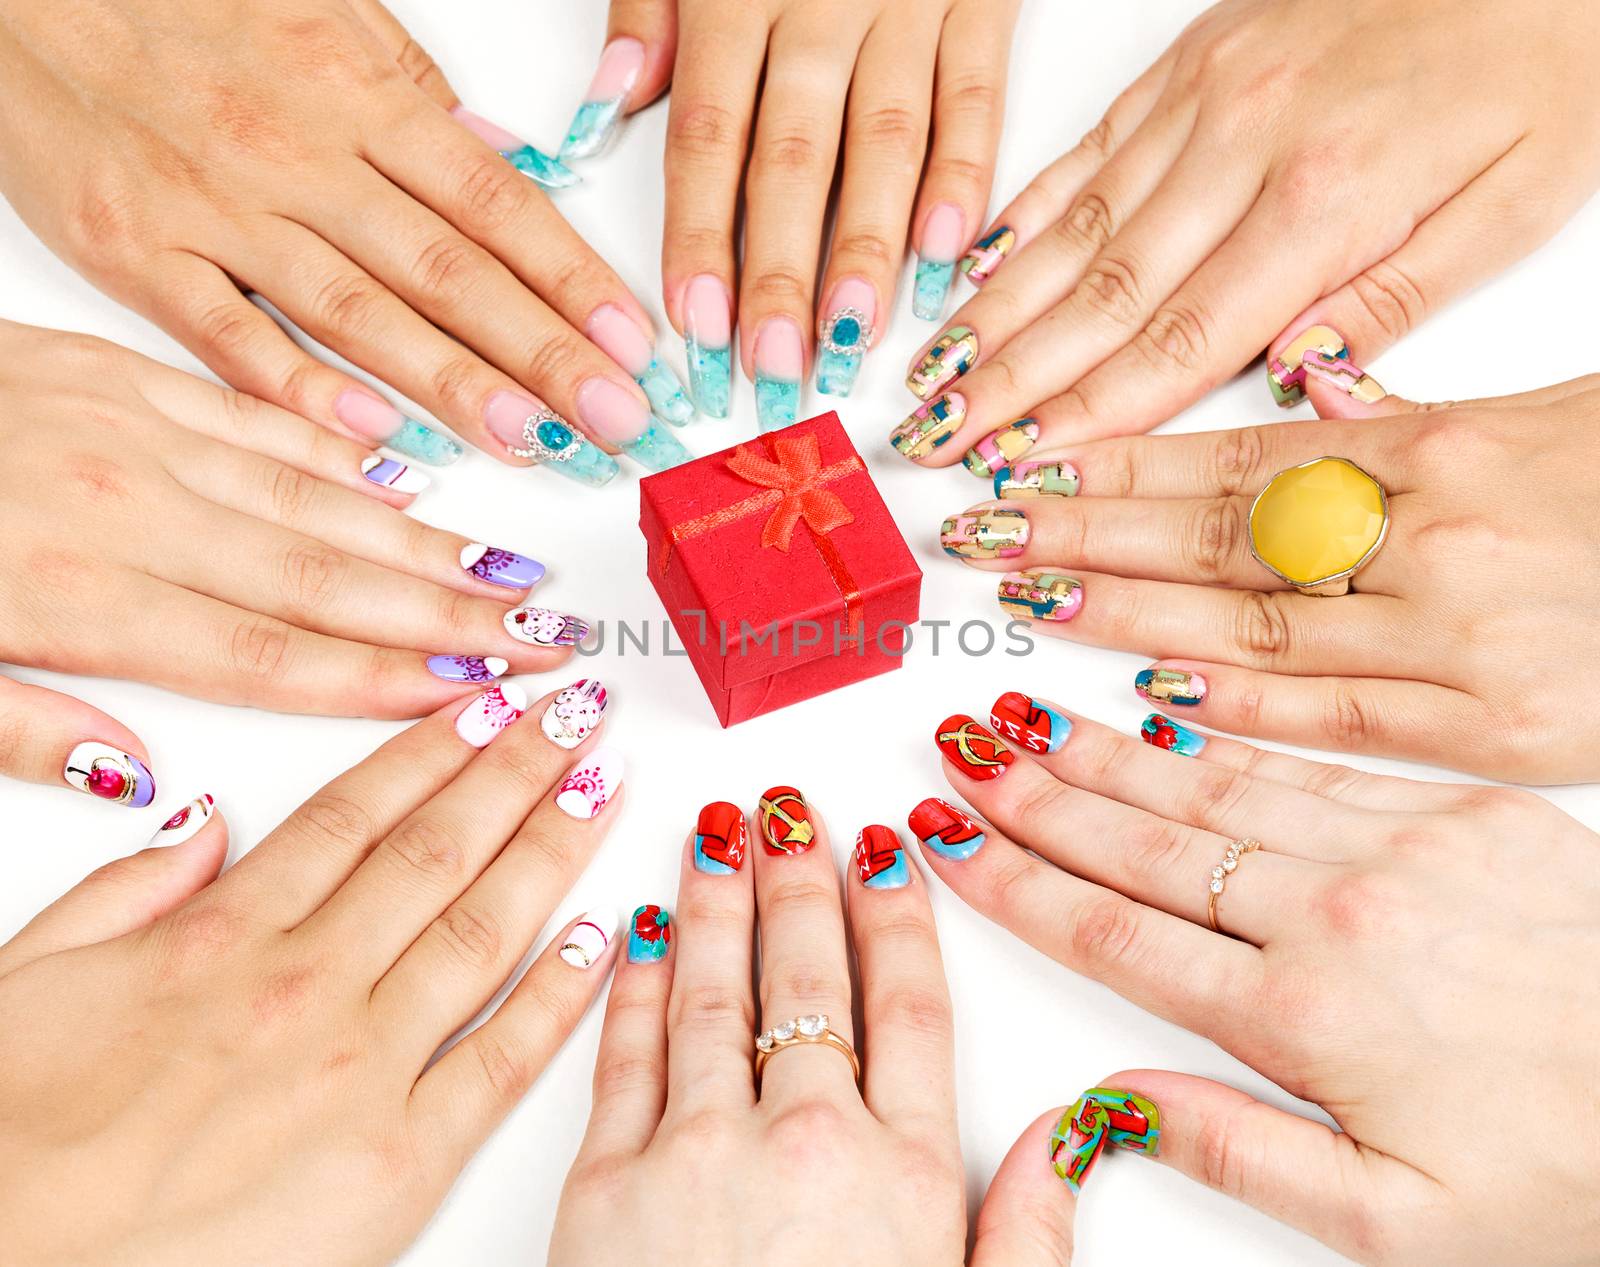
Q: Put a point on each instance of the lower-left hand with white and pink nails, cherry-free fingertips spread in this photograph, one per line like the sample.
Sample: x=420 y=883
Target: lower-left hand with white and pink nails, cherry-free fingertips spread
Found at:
x=241 y=1069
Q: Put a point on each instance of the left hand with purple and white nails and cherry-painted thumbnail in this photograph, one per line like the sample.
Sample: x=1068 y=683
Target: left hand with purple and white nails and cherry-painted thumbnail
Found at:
x=244 y=553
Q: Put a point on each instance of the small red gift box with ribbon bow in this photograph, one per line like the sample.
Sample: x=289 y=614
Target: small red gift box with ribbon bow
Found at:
x=780 y=567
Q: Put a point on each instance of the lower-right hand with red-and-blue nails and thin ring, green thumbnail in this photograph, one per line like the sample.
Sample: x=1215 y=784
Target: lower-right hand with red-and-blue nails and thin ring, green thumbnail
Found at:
x=1406 y=956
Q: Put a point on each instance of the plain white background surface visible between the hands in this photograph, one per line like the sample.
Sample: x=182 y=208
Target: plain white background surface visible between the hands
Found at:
x=1031 y=1033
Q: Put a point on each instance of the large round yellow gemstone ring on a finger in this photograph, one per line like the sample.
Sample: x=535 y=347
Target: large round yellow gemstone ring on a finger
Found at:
x=1319 y=524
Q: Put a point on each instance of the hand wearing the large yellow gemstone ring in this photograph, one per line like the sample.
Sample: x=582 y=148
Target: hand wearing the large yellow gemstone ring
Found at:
x=1460 y=644
